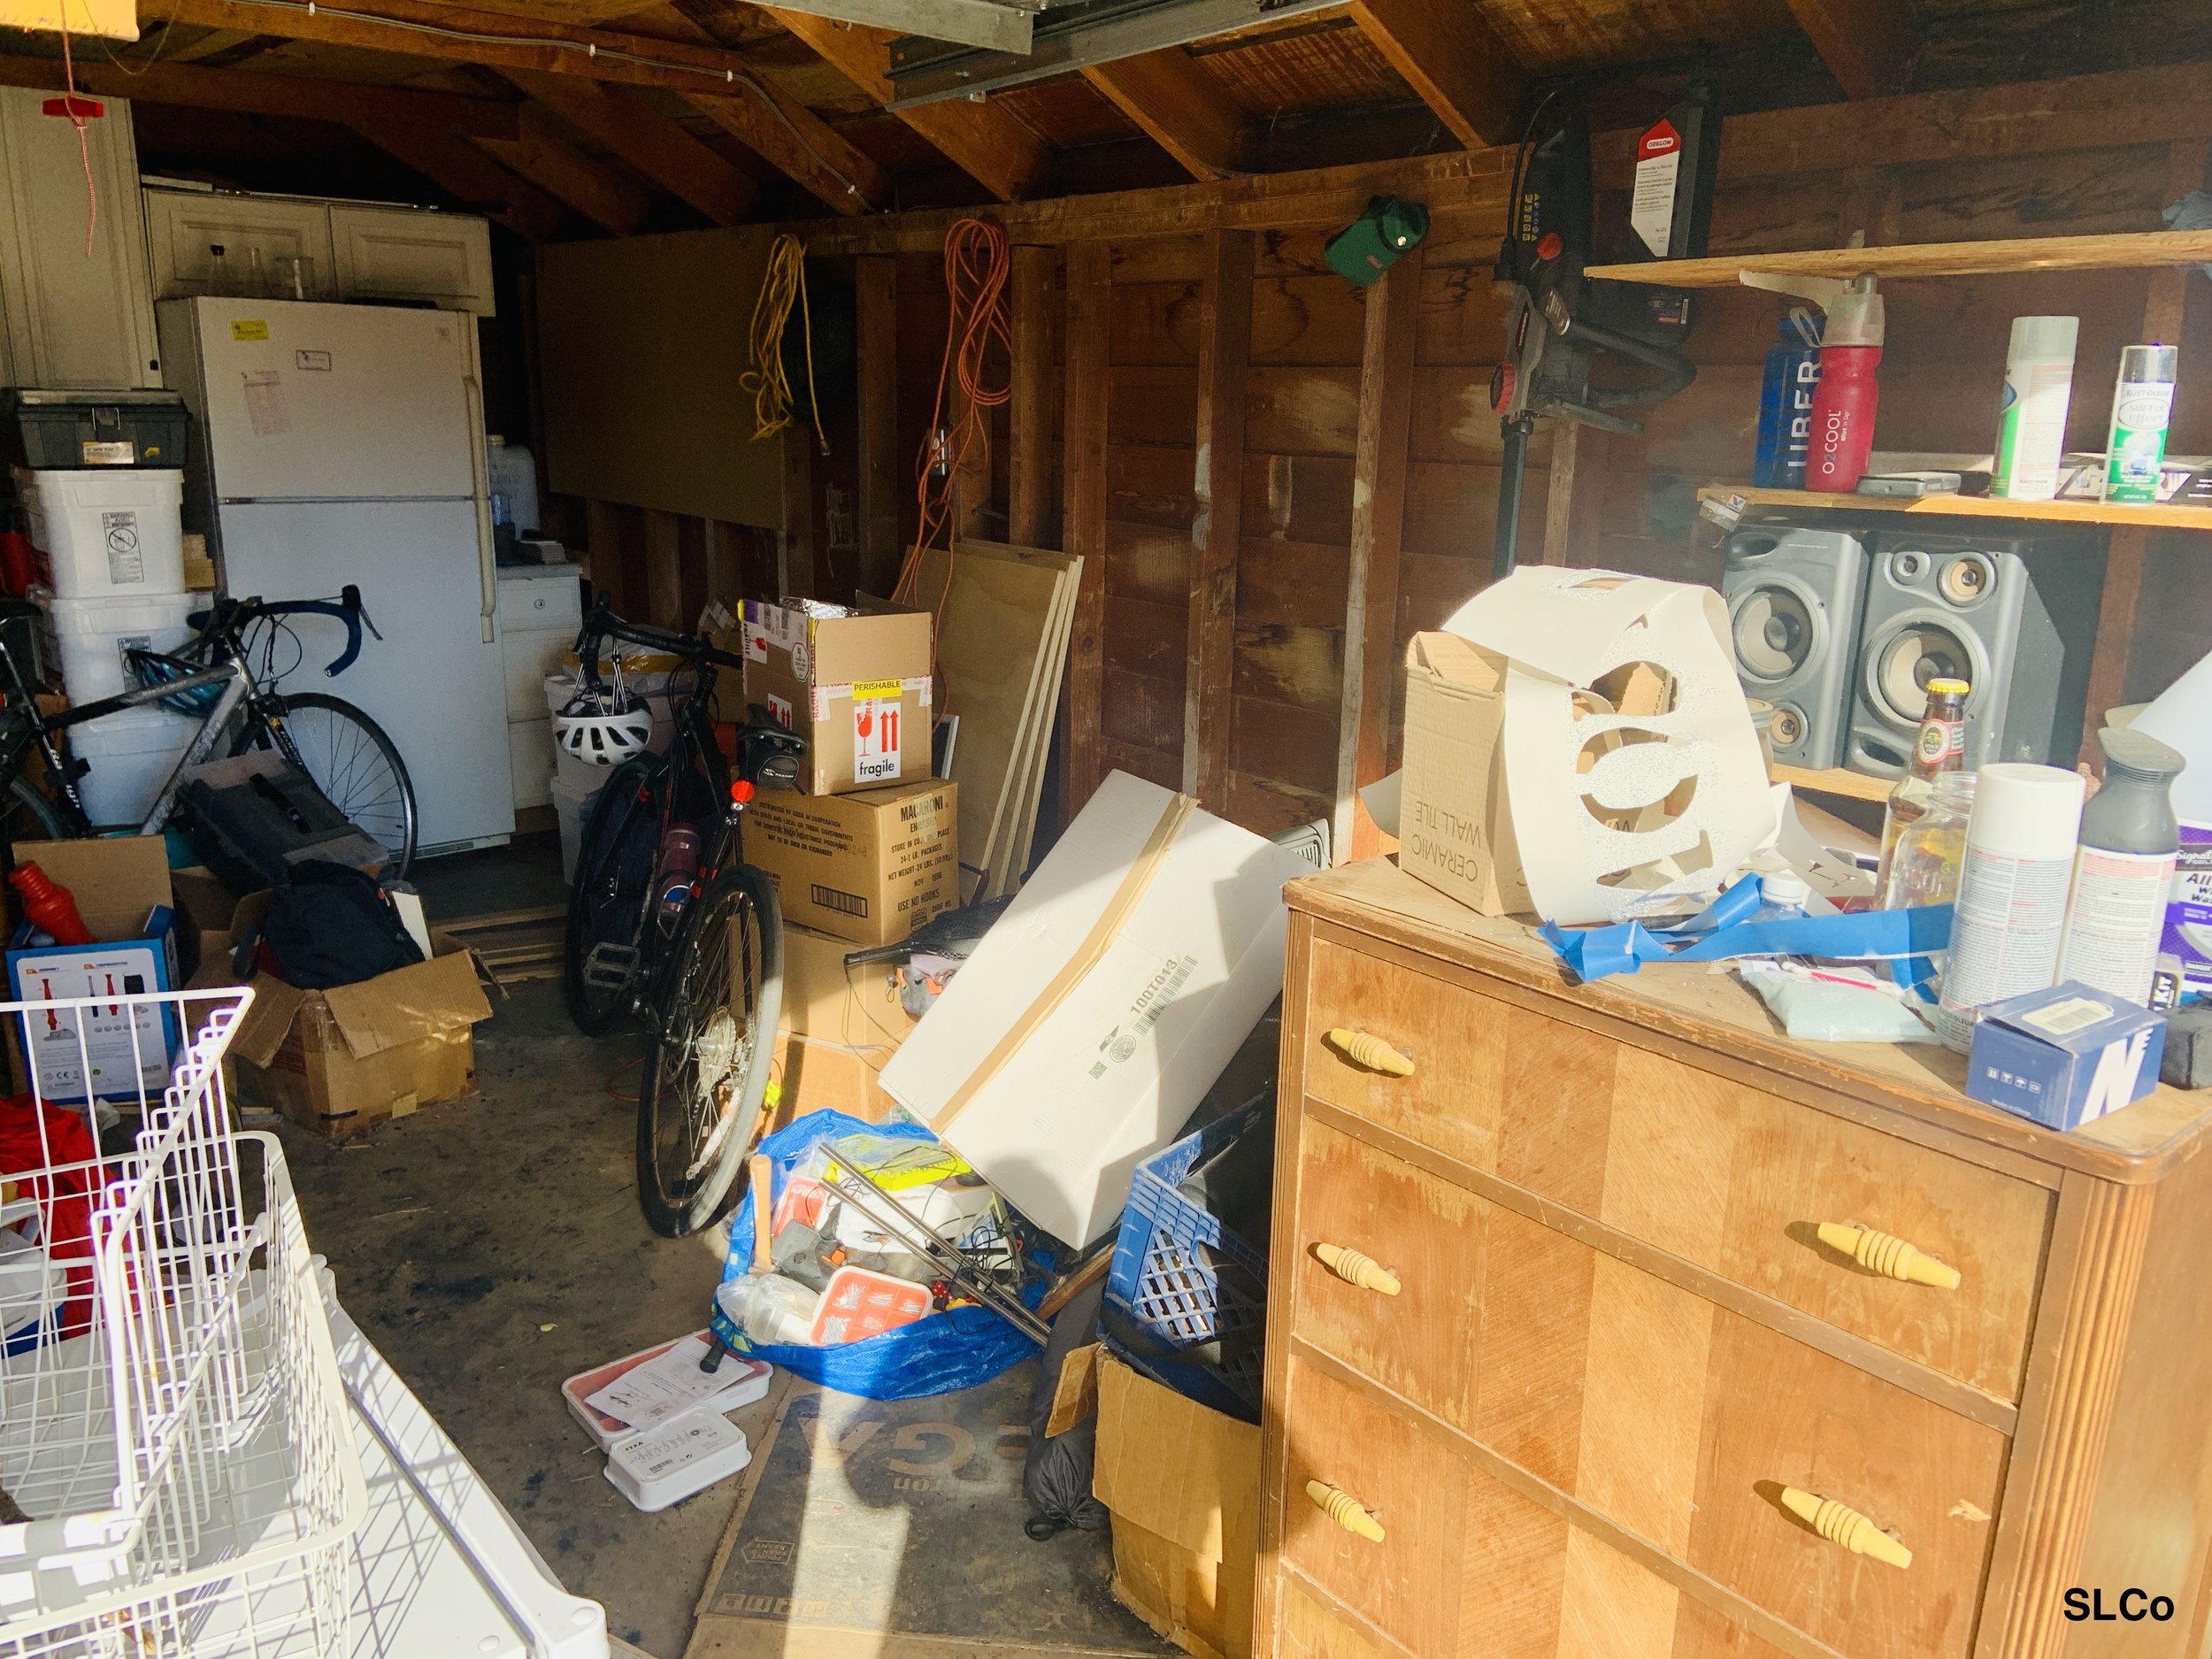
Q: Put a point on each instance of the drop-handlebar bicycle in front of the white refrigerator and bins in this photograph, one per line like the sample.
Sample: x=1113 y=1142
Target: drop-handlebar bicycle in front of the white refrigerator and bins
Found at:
x=240 y=709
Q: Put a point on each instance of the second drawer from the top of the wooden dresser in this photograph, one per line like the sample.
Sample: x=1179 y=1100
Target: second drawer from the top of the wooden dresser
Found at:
x=1656 y=1408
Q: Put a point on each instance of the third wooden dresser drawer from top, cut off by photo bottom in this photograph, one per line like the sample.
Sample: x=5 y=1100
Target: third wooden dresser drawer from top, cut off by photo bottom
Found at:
x=1530 y=1587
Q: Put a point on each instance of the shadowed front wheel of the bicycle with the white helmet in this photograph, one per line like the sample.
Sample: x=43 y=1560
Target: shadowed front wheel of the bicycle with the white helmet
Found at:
x=607 y=904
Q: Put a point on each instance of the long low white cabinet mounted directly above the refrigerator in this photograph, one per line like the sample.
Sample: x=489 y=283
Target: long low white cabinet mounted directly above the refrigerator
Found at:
x=399 y=255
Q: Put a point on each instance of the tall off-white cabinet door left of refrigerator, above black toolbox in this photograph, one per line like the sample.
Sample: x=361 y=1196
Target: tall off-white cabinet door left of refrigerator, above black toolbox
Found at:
x=74 y=317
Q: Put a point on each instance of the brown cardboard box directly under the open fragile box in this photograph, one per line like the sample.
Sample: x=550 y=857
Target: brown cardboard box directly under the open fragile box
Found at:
x=864 y=868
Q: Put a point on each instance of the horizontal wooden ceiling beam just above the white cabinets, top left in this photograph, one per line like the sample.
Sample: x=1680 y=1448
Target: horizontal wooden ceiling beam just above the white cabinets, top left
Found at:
x=322 y=101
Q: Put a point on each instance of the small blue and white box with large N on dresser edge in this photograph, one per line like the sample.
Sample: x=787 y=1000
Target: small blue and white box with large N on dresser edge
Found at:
x=2065 y=1056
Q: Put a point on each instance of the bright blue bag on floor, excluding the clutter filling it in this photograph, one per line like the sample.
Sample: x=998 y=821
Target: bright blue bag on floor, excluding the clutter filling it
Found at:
x=937 y=1355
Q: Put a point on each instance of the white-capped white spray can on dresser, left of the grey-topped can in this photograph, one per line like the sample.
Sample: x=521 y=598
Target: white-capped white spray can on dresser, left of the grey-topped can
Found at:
x=2010 y=917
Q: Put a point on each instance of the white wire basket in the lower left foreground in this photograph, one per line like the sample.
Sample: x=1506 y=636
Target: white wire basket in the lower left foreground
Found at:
x=174 y=1430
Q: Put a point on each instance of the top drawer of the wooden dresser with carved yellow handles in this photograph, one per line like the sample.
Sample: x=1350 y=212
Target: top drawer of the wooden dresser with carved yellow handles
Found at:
x=1731 y=1178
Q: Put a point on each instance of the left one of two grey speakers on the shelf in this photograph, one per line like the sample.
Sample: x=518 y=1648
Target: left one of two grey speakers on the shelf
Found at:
x=1793 y=623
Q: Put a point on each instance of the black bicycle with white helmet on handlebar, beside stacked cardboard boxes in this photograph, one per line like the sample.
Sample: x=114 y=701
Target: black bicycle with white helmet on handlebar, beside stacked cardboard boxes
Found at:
x=671 y=926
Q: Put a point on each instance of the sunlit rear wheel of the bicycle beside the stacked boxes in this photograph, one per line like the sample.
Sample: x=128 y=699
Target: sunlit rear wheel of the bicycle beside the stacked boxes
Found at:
x=707 y=1074
